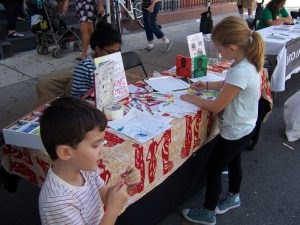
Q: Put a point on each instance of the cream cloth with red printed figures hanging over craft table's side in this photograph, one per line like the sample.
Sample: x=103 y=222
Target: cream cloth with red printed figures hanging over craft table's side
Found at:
x=156 y=159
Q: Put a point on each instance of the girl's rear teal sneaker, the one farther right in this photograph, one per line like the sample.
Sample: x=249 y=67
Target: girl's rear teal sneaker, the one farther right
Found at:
x=227 y=202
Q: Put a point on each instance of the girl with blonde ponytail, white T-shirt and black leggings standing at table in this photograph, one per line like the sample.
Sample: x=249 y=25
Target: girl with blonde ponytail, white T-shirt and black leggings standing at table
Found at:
x=236 y=105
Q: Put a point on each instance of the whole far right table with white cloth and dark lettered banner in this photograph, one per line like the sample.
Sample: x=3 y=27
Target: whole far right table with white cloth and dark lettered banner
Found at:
x=283 y=42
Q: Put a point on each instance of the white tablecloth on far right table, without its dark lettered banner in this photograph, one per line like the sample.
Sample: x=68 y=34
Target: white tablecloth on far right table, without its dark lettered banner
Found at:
x=276 y=38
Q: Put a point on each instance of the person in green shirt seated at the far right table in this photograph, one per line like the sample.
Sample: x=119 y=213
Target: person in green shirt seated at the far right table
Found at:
x=274 y=14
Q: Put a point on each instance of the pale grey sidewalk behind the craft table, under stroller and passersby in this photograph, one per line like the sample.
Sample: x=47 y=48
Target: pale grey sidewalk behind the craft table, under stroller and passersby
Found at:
x=21 y=72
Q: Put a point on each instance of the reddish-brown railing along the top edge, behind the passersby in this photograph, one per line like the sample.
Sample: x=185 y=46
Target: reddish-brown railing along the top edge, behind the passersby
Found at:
x=174 y=5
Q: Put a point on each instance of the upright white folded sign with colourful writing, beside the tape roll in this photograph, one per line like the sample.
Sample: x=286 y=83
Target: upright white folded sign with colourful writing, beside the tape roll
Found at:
x=110 y=80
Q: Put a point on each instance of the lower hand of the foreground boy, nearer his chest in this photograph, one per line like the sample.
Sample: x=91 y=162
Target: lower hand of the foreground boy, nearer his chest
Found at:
x=116 y=198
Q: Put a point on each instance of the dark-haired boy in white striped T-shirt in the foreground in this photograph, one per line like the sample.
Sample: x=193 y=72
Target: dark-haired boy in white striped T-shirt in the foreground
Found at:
x=72 y=132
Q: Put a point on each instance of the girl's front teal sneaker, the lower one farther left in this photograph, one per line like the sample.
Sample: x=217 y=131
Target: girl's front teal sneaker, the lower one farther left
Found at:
x=200 y=215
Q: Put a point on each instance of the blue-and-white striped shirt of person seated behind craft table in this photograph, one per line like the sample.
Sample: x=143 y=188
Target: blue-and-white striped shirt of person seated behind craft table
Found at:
x=83 y=78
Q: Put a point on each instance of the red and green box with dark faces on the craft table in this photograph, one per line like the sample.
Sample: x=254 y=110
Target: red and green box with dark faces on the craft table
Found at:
x=191 y=67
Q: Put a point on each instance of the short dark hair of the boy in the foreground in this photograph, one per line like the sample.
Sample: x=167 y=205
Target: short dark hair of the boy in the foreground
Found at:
x=66 y=122
